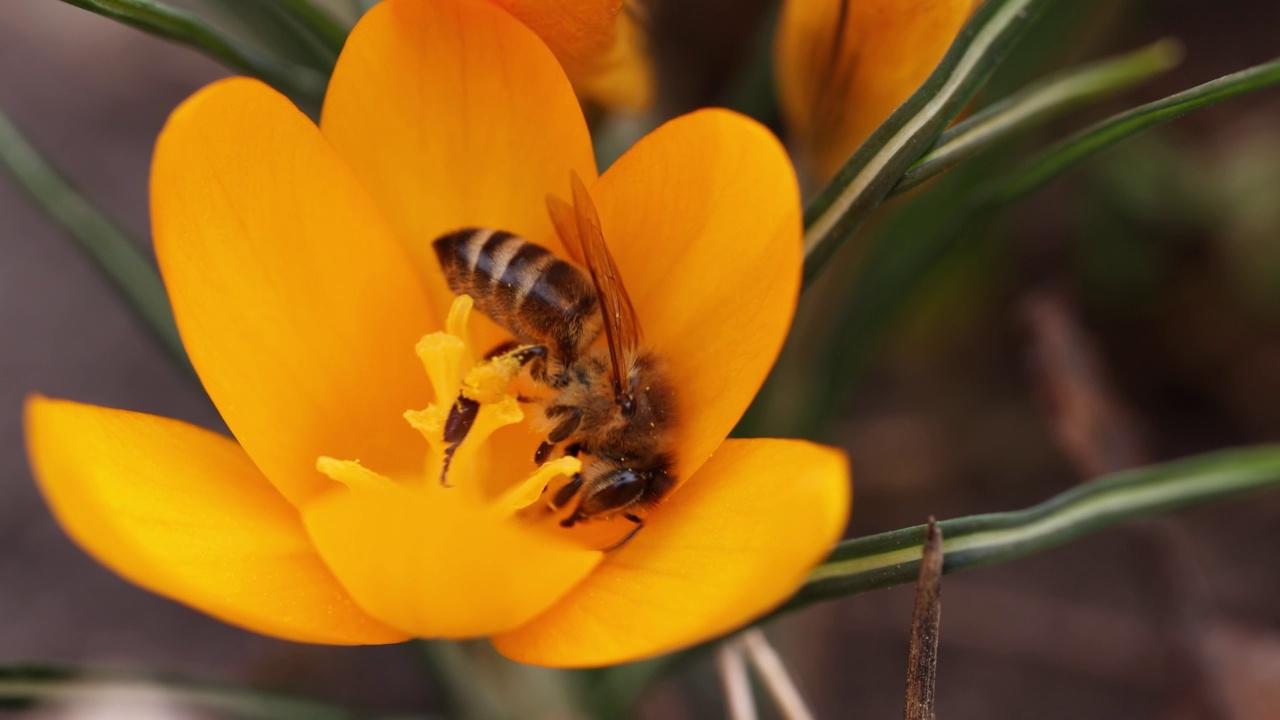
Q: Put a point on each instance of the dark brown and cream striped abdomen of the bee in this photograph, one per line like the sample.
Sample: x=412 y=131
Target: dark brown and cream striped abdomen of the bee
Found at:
x=527 y=290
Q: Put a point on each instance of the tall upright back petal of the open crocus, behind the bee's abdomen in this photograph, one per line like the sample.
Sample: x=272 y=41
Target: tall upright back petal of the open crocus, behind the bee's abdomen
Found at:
x=455 y=115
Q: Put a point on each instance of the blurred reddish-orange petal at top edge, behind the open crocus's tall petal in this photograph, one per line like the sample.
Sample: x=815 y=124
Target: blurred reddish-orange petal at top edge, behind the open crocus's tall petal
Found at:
x=600 y=44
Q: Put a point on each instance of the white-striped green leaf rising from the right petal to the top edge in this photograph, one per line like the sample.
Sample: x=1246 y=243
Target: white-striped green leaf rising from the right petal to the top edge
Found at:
x=868 y=177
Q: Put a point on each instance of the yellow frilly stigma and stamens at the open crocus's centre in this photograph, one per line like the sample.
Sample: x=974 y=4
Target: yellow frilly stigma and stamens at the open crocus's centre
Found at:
x=459 y=379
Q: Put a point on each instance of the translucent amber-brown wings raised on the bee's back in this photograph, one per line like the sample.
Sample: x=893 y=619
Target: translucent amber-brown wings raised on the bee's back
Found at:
x=580 y=230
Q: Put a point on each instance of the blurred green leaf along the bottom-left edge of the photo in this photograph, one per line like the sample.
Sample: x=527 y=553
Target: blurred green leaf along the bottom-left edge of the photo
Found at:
x=28 y=686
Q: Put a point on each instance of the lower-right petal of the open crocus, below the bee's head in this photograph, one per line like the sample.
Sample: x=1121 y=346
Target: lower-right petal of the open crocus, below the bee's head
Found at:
x=719 y=554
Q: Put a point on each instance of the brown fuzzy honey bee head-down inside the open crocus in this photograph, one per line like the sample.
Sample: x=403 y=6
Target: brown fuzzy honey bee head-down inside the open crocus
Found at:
x=612 y=403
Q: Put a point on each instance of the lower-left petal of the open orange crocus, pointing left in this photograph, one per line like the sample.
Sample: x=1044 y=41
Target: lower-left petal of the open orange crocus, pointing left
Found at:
x=185 y=513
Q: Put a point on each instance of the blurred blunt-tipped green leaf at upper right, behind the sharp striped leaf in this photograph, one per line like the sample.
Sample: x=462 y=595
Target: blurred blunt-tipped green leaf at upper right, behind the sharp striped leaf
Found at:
x=1040 y=103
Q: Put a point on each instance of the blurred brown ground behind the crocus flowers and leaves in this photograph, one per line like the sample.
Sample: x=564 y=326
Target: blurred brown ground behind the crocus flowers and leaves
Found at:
x=1163 y=257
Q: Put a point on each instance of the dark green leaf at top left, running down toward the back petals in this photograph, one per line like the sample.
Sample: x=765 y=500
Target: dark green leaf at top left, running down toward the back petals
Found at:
x=303 y=84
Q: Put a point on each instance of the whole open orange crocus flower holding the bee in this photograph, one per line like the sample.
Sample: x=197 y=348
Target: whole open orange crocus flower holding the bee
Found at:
x=299 y=263
